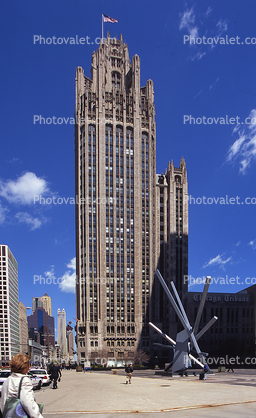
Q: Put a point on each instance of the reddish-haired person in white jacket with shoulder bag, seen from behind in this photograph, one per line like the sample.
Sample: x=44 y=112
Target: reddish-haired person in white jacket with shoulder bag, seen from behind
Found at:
x=20 y=364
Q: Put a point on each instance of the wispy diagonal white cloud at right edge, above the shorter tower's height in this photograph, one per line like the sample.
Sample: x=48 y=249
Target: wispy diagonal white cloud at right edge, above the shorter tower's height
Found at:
x=244 y=148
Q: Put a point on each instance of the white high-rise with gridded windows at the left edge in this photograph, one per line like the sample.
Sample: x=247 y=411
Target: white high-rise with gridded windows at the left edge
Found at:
x=9 y=305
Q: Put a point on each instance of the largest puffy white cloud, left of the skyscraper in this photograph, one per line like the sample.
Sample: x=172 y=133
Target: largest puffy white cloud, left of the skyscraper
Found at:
x=23 y=190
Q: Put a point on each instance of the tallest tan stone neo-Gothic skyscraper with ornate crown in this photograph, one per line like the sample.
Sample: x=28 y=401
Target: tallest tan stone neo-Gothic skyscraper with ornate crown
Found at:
x=118 y=215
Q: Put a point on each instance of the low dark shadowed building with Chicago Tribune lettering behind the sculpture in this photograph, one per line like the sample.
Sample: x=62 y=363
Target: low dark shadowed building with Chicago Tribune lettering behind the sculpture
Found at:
x=233 y=334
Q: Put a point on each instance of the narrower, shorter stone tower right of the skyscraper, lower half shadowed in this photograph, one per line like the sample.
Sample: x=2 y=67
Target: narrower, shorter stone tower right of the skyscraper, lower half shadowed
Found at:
x=172 y=250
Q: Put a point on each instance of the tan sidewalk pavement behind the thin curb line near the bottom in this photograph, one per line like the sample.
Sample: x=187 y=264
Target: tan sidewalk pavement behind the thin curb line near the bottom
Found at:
x=99 y=392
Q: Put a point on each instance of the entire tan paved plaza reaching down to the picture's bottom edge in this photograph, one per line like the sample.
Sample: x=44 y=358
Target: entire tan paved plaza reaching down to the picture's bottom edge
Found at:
x=104 y=394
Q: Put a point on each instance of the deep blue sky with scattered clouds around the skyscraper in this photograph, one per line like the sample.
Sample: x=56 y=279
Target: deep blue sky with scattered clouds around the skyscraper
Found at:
x=207 y=79
